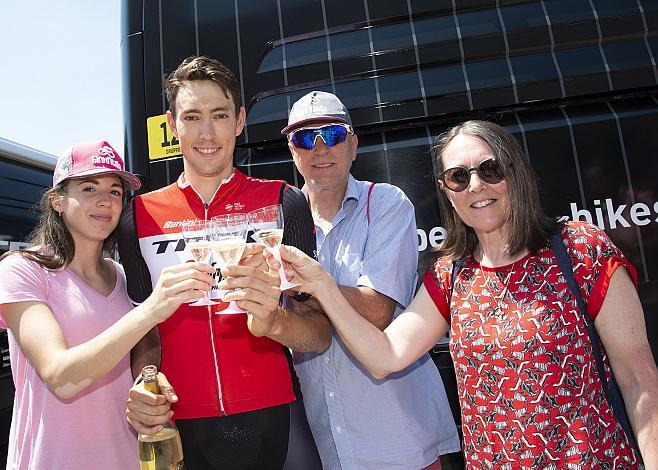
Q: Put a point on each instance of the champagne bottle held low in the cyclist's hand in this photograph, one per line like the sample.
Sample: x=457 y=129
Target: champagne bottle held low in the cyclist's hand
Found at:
x=163 y=450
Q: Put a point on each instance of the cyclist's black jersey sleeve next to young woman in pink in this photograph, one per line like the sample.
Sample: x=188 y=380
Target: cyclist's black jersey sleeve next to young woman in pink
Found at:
x=138 y=277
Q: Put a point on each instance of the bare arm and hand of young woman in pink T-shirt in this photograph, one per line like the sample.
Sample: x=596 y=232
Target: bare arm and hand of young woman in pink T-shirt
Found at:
x=69 y=370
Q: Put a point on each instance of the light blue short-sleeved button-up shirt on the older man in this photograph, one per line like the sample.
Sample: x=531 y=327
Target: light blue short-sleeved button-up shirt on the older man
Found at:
x=359 y=422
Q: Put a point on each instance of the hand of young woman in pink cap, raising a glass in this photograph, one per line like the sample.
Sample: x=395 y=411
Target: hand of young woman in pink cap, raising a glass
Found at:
x=176 y=285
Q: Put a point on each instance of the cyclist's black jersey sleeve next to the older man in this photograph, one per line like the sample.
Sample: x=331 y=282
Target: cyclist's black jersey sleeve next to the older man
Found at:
x=298 y=226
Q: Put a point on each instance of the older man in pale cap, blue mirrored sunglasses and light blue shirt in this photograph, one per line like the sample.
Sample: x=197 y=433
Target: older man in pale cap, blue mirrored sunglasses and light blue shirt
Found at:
x=366 y=239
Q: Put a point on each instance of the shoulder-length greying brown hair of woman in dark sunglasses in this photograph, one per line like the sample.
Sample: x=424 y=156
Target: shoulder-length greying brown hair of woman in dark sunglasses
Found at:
x=529 y=226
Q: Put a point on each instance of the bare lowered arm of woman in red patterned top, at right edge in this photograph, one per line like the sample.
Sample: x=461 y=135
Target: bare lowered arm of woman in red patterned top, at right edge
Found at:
x=631 y=360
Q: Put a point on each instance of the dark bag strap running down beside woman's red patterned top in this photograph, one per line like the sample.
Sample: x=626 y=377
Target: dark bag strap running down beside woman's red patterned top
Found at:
x=611 y=388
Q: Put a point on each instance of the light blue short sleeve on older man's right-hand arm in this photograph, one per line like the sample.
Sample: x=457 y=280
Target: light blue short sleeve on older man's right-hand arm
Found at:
x=390 y=257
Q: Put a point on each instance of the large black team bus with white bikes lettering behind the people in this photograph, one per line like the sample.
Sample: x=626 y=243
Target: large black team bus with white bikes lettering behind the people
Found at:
x=574 y=80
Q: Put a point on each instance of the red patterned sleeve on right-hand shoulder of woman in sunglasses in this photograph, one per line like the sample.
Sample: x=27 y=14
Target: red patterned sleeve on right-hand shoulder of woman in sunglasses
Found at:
x=595 y=258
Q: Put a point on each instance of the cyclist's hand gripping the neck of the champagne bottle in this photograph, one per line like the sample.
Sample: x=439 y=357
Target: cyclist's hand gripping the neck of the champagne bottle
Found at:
x=147 y=412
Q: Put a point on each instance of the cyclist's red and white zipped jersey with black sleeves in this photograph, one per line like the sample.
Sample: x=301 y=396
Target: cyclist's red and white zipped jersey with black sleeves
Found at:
x=215 y=364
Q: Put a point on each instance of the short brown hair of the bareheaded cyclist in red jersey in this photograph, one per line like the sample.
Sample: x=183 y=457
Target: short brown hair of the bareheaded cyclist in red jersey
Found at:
x=202 y=68
